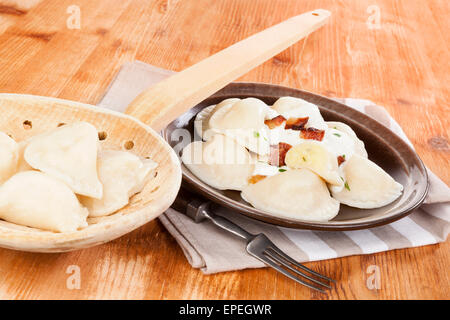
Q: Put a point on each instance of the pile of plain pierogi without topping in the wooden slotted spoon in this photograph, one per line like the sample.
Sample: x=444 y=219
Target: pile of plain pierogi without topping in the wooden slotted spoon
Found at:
x=55 y=180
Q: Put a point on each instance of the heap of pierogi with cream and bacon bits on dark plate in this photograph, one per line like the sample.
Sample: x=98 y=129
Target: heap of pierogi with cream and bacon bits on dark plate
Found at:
x=282 y=143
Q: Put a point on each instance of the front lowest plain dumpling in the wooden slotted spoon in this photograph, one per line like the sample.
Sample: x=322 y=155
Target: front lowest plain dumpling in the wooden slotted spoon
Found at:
x=37 y=200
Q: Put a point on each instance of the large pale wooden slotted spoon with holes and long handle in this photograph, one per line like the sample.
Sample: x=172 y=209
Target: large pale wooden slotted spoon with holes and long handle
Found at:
x=23 y=116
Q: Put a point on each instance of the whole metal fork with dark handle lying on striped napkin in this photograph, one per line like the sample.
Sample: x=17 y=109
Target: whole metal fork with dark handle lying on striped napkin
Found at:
x=259 y=246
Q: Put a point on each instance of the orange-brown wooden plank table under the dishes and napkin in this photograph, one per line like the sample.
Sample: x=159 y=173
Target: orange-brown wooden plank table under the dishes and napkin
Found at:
x=400 y=63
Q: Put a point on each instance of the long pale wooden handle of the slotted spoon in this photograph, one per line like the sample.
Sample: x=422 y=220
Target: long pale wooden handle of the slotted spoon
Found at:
x=164 y=102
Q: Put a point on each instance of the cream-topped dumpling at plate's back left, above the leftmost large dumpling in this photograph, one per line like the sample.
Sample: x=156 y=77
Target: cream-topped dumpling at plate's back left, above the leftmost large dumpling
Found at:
x=242 y=121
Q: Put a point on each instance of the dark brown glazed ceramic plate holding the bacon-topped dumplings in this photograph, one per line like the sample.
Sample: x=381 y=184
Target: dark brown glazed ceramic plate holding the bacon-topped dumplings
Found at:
x=383 y=146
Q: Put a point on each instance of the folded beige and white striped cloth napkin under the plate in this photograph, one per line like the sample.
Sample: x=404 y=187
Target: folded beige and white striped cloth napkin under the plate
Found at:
x=214 y=250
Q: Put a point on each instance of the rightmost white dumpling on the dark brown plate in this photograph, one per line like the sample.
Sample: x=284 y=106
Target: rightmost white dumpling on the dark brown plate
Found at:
x=366 y=185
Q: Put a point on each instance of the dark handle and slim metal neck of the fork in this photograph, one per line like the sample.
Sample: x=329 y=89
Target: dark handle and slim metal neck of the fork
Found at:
x=200 y=210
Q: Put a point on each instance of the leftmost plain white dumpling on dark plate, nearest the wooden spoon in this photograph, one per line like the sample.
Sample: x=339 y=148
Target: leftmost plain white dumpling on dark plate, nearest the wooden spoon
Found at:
x=220 y=162
